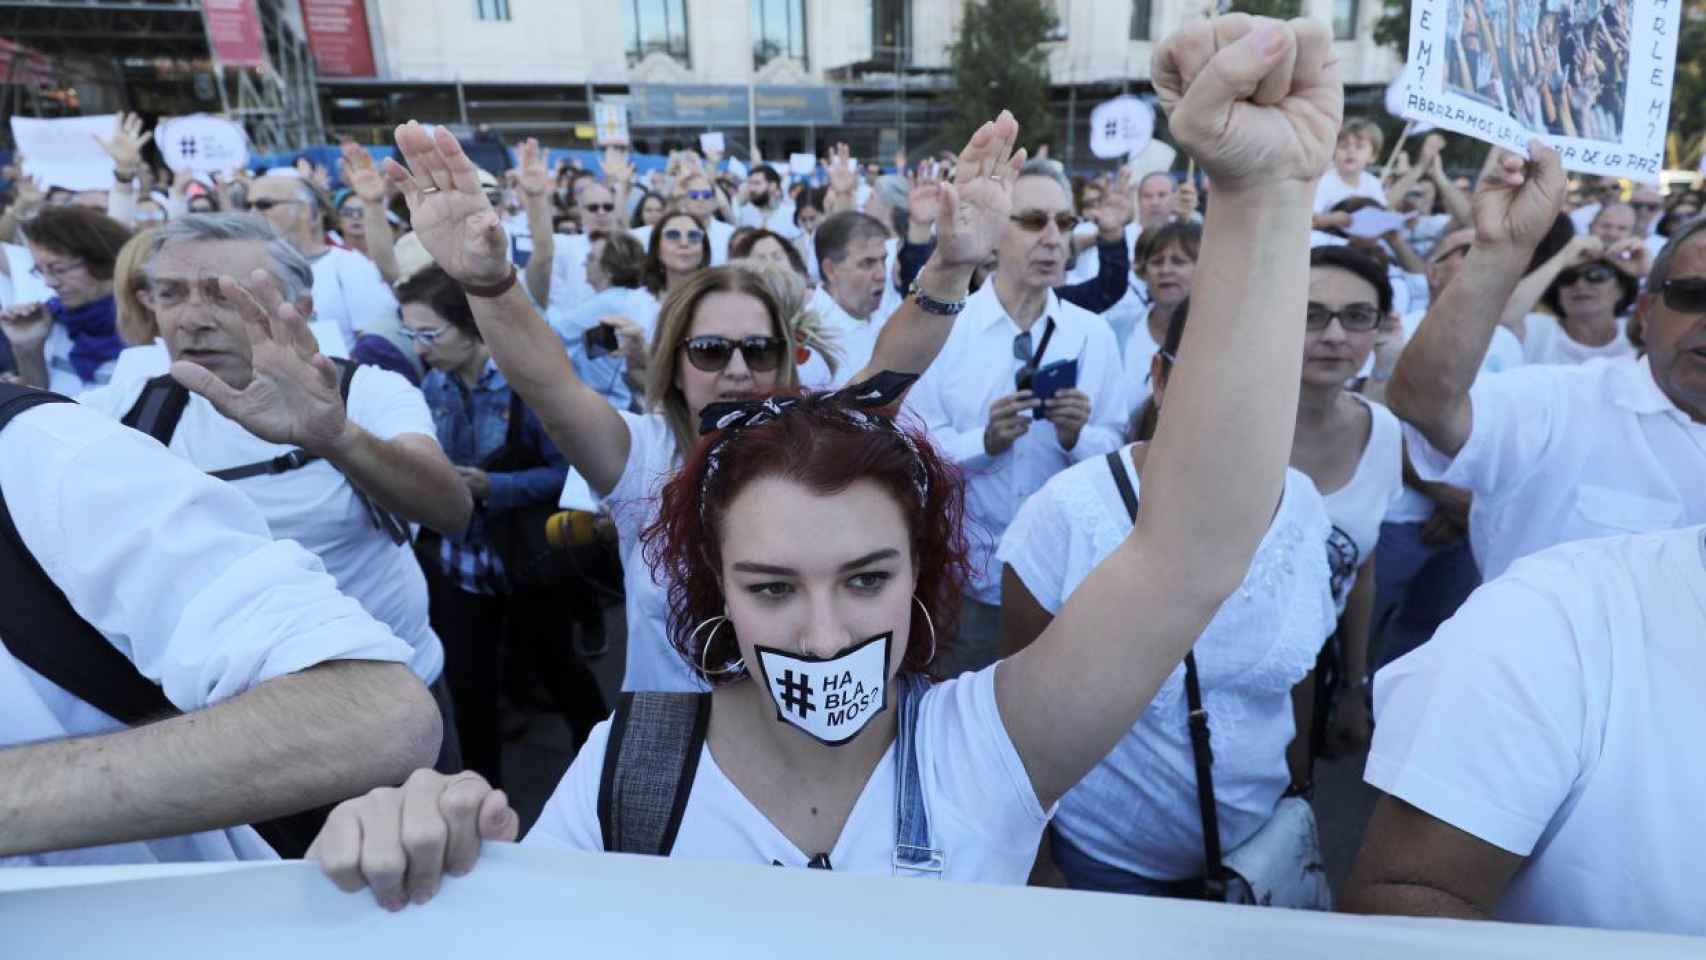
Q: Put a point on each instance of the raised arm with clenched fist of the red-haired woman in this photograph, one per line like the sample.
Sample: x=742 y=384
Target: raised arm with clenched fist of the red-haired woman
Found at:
x=1258 y=103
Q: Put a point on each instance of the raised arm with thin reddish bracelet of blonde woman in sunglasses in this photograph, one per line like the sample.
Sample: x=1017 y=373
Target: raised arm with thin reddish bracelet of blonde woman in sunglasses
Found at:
x=463 y=234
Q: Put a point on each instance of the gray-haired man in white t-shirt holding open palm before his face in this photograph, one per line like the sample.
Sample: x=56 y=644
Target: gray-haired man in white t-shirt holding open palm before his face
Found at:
x=337 y=458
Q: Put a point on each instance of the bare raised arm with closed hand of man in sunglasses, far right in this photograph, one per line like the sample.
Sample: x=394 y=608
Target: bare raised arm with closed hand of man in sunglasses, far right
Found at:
x=1516 y=207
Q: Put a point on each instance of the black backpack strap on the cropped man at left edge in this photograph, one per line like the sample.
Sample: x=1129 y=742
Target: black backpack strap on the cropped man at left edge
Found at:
x=45 y=633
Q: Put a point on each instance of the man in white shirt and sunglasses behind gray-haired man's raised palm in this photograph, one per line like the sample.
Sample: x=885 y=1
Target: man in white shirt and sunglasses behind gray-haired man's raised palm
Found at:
x=349 y=289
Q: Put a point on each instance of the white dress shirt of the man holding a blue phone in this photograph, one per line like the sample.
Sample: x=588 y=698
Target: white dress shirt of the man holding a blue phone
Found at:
x=975 y=369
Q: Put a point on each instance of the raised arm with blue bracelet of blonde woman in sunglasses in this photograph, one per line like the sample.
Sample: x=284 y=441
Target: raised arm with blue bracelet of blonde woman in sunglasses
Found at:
x=970 y=217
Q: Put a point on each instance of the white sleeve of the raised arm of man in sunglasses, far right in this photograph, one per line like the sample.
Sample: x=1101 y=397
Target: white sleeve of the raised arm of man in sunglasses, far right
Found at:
x=1512 y=424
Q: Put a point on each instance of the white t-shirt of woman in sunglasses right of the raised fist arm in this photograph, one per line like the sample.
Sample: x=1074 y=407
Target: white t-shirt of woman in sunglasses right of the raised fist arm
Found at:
x=1359 y=507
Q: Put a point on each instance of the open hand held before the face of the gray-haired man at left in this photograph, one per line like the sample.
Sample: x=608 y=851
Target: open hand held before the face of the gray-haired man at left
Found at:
x=293 y=398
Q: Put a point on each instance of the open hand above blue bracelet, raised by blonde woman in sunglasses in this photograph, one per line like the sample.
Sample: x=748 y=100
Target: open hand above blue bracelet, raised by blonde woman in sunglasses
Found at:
x=973 y=209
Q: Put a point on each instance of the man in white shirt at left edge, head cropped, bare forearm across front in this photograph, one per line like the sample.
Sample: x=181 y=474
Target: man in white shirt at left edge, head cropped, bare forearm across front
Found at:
x=293 y=697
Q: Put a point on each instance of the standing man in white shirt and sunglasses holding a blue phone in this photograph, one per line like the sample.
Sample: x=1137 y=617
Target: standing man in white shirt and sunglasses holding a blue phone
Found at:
x=970 y=403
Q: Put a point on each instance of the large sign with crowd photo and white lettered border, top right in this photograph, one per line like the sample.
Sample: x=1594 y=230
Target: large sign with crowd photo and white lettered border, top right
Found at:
x=1593 y=78
